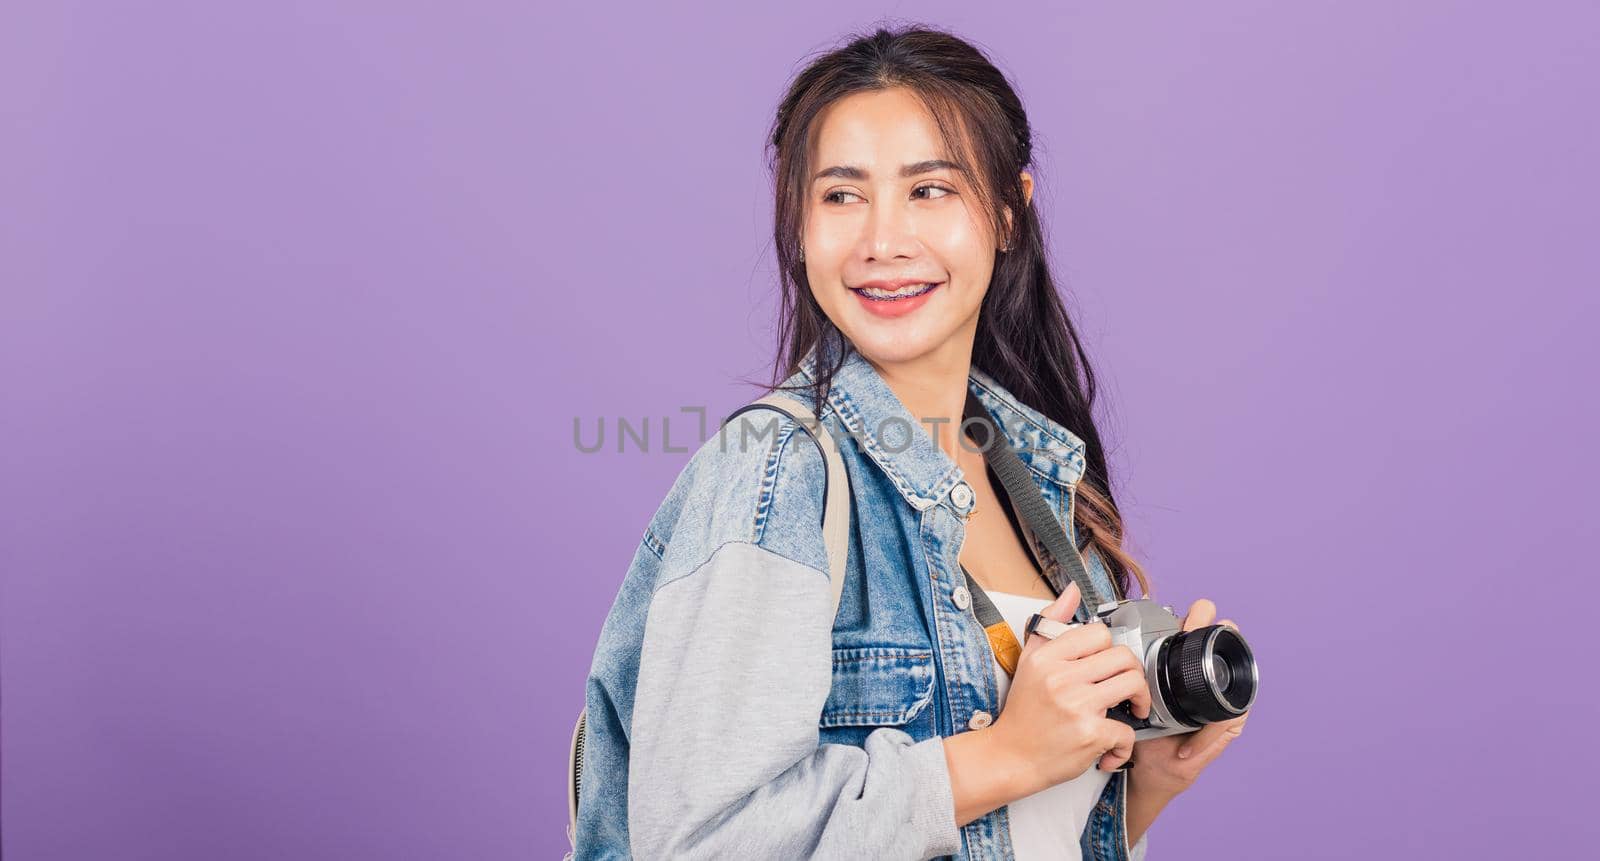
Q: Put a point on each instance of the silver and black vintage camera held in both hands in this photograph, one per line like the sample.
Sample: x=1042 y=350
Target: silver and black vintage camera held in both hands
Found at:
x=1196 y=678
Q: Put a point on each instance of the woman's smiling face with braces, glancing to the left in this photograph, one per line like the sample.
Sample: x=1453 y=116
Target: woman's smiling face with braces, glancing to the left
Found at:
x=887 y=217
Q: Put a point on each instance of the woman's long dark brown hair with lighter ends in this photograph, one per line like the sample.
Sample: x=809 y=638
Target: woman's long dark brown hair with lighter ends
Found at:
x=1025 y=338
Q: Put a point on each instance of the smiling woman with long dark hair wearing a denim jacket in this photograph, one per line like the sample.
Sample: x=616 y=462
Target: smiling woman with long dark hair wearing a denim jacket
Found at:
x=730 y=713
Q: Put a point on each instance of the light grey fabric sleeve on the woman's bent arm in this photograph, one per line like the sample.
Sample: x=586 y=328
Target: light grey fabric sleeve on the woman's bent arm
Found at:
x=735 y=668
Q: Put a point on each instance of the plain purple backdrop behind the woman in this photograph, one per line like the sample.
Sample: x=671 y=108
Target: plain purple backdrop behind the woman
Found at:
x=300 y=303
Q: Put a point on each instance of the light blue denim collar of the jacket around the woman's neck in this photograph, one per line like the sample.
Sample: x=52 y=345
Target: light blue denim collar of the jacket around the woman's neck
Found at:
x=902 y=446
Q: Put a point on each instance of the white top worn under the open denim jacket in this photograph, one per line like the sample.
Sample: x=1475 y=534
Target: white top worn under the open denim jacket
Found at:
x=1046 y=825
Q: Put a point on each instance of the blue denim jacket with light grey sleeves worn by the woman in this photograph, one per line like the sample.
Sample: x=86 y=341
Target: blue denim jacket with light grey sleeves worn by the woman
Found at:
x=734 y=716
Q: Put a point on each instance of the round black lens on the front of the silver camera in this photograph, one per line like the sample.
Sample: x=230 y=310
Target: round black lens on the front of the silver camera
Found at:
x=1207 y=675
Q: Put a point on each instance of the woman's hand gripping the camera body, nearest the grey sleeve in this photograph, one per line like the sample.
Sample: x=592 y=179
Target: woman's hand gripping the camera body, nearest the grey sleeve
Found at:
x=1055 y=713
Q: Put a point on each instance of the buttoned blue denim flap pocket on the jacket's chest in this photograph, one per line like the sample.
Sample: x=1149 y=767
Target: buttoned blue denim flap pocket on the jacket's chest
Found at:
x=879 y=687
